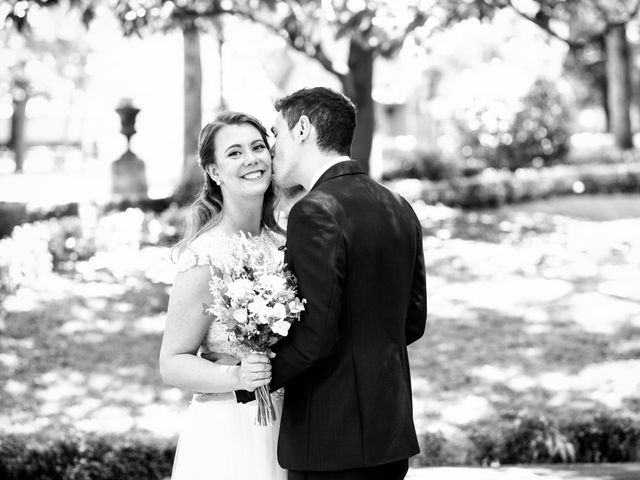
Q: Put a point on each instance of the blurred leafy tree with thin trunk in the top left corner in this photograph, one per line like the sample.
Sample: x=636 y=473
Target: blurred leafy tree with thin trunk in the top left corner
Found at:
x=33 y=64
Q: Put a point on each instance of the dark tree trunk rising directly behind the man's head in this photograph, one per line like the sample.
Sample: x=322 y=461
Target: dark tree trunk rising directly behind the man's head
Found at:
x=358 y=85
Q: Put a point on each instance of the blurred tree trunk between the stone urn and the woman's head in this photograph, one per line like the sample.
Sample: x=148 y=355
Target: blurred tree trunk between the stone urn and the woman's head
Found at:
x=191 y=173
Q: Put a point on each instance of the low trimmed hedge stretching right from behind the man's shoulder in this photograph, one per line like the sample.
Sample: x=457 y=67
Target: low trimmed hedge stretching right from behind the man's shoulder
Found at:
x=493 y=188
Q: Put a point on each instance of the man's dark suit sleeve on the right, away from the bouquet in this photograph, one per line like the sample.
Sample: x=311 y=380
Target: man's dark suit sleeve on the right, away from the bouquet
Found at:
x=415 y=322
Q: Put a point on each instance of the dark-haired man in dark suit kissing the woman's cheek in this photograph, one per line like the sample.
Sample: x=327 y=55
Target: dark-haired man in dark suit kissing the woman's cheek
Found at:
x=356 y=248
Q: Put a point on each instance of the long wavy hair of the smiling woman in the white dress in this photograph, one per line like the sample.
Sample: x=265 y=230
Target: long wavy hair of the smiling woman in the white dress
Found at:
x=204 y=212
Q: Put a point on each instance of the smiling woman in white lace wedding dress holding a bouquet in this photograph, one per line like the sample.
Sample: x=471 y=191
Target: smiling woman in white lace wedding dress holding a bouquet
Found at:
x=218 y=438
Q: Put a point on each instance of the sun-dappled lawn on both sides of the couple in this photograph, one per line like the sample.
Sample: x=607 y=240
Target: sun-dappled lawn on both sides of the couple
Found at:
x=533 y=308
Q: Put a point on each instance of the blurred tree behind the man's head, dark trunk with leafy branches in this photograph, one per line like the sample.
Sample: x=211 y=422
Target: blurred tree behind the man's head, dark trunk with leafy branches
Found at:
x=345 y=37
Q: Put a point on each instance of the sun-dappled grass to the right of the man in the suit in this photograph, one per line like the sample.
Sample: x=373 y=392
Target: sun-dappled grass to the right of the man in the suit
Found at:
x=530 y=313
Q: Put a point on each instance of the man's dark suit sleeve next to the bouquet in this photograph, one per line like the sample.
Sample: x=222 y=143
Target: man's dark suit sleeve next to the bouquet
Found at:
x=317 y=256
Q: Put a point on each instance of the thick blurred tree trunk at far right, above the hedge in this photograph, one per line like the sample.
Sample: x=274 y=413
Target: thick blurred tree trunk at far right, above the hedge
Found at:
x=619 y=85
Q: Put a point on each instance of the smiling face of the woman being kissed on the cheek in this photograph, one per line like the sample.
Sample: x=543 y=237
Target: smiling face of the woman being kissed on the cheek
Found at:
x=243 y=163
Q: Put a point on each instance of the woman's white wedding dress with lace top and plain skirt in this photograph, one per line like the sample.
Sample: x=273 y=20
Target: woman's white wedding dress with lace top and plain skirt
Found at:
x=218 y=438
